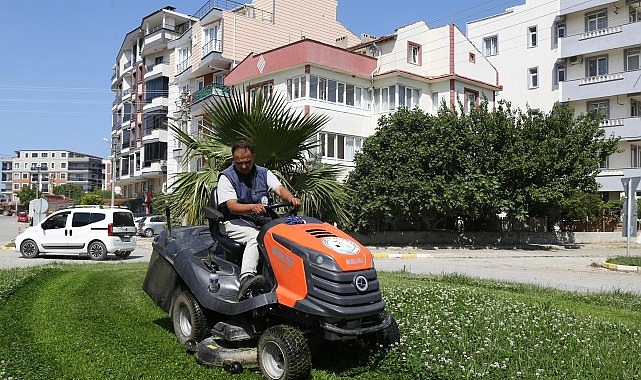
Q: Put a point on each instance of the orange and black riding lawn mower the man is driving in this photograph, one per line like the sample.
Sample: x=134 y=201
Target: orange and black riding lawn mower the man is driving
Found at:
x=318 y=286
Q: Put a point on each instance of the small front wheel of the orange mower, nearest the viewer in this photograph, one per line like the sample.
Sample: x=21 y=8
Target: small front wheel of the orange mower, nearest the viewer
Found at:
x=283 y=353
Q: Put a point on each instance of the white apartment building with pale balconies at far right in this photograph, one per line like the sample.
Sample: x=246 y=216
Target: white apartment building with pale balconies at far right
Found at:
x=582 y=52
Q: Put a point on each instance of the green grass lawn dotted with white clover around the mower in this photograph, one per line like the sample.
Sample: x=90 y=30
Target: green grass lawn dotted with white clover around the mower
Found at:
x=95 y=322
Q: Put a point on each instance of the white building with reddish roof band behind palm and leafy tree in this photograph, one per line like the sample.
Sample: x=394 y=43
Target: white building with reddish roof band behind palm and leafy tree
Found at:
x=414 y=67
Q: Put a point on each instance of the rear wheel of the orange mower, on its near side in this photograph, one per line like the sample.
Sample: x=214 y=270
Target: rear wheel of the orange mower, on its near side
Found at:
x=190 y=323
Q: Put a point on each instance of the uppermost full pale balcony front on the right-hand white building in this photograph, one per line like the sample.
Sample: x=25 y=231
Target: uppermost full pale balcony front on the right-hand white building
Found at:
x=610 y=38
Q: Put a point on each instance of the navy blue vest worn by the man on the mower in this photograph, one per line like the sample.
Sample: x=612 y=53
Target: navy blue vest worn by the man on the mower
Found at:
x=249 y=189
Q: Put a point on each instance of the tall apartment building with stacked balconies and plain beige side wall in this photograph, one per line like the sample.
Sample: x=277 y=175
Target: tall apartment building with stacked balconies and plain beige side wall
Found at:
x=173 y=63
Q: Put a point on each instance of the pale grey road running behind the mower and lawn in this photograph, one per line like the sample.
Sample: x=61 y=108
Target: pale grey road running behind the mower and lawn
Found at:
x=558 y=267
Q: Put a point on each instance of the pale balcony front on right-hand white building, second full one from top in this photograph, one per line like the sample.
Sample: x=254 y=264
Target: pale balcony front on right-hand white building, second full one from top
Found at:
x=600 y=86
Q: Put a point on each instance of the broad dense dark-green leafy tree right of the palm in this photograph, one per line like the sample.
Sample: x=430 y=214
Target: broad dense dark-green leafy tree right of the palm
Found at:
x=429 y=169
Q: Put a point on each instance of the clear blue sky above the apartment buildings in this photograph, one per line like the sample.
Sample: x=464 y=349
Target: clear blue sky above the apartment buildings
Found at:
x=58 y=55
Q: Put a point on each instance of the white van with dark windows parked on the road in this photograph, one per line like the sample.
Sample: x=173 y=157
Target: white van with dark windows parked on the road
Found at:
x=94 y=230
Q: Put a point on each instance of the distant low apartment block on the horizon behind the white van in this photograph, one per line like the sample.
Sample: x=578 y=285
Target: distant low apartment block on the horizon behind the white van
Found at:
x=47 y=168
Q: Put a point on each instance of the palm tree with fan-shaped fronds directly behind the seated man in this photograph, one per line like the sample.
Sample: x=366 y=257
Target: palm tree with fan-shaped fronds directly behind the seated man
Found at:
x=284 y=140
